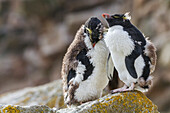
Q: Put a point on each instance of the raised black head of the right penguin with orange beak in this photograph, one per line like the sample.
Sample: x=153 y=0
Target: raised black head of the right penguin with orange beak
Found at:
x=117 y=19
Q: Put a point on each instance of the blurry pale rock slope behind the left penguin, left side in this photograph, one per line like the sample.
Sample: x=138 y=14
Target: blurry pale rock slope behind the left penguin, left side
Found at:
x=49 y=94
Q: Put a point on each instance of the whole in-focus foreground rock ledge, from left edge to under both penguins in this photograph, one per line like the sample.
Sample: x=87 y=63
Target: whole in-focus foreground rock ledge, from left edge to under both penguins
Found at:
x=121 y=102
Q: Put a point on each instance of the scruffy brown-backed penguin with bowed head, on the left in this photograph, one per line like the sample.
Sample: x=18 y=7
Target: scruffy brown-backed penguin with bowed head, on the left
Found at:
x=84 y=65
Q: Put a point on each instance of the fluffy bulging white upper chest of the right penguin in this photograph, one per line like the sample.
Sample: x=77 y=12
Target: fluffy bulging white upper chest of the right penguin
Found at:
x=118 y=40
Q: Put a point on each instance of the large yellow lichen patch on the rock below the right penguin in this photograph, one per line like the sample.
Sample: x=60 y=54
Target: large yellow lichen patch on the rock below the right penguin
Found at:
x=126 y=101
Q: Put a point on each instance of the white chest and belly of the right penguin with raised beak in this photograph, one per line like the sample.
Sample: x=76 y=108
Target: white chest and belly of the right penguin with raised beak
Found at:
x=120 y=45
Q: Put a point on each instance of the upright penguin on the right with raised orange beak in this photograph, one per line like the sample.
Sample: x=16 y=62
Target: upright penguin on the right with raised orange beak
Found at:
x=133 y=55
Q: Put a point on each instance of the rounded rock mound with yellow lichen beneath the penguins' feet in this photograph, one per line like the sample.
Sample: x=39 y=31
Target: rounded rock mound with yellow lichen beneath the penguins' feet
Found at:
x=130 y=102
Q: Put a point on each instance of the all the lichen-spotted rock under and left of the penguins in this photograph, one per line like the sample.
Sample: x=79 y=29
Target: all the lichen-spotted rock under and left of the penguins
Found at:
x=48 y=98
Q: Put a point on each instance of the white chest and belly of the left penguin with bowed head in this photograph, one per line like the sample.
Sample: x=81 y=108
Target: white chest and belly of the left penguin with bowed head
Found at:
x=94 y=85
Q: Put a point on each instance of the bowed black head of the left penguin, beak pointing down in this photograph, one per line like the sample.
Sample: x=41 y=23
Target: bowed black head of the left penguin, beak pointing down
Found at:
x=94 y=29
